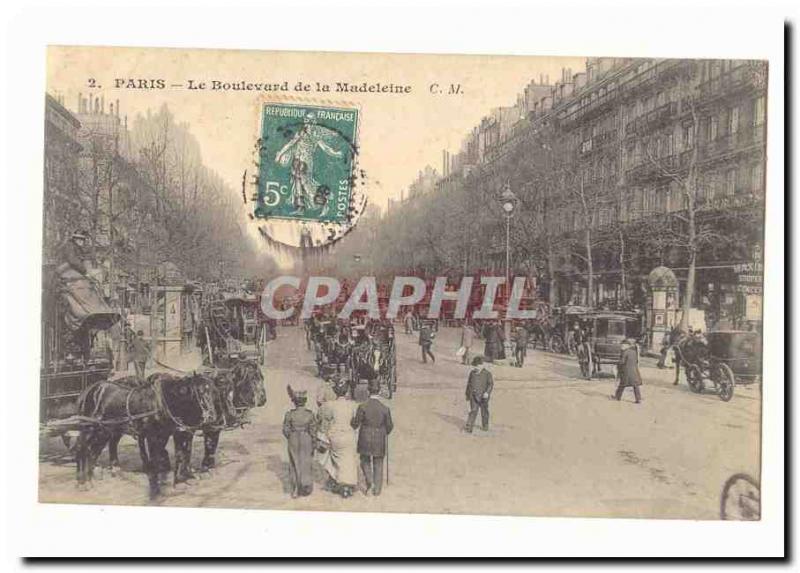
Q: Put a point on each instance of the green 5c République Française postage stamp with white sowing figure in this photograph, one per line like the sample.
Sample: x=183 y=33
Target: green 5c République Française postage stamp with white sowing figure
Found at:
x=307 y=156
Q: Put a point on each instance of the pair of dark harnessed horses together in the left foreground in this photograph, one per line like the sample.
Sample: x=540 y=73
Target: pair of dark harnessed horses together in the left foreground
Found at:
x=165 y=406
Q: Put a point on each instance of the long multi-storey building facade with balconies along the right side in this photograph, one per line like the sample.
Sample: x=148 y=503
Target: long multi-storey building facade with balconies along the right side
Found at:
x=625 y=166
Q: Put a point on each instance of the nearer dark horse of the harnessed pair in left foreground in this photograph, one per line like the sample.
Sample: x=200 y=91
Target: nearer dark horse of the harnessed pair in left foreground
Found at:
x=152 y=412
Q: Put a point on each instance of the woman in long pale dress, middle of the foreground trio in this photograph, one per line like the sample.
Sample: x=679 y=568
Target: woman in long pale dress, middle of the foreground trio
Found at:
x=338 y=441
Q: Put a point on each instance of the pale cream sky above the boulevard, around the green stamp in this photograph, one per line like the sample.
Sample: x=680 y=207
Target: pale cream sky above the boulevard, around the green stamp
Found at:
x=399 y=133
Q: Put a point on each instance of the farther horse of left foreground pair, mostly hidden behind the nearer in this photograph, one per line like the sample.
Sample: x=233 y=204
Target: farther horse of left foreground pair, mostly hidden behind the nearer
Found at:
x=237 y=390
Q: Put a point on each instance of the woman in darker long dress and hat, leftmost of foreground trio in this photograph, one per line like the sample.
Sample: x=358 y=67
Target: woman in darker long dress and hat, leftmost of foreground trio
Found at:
x=300 y=431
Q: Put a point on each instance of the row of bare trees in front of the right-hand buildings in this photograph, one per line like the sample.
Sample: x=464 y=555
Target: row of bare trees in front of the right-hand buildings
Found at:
x=575 y=209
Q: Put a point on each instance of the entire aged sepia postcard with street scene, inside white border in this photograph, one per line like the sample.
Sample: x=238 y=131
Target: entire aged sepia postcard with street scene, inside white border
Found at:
x=535 y=284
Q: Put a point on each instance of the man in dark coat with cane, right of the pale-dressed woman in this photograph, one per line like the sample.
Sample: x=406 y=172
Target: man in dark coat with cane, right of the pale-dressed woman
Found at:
x=373 y=420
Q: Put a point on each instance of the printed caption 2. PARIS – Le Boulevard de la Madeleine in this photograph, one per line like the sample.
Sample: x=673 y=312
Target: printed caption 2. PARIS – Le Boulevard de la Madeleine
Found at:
x=244 y=85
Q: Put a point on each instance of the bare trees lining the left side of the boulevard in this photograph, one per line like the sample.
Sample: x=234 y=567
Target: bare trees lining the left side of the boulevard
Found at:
x=144 y=197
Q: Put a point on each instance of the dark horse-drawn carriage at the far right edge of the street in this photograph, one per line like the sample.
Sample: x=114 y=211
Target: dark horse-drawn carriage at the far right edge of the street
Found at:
x=725 y=358
